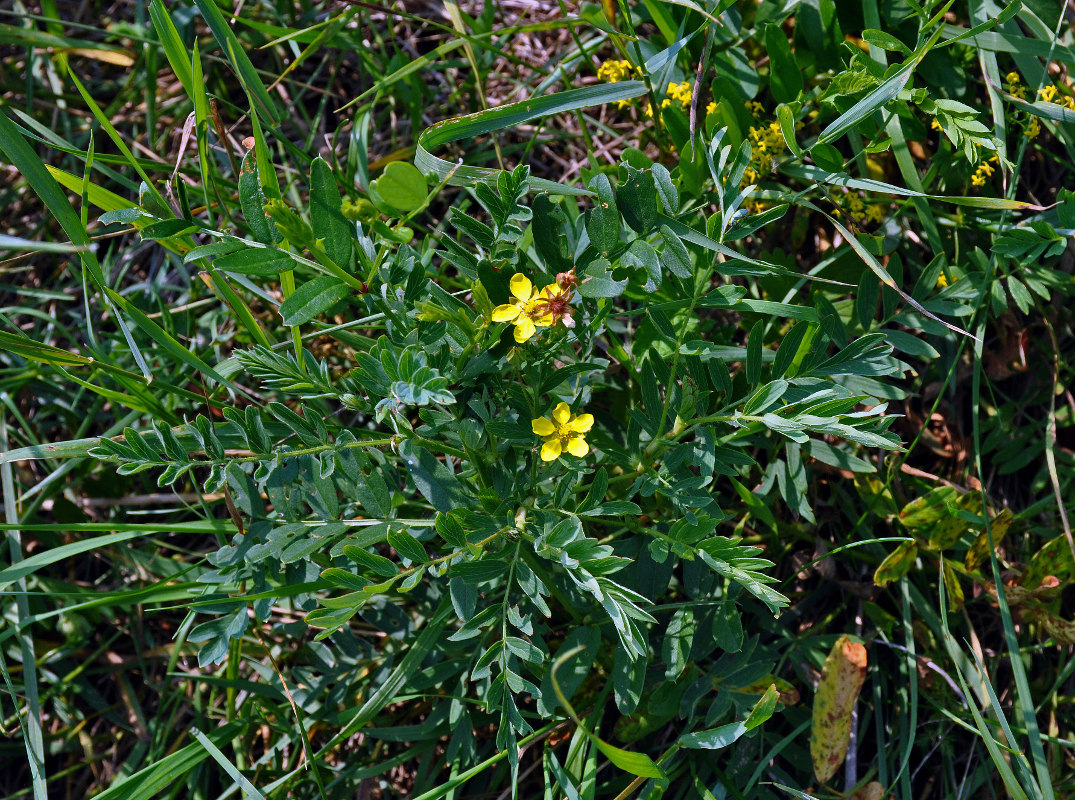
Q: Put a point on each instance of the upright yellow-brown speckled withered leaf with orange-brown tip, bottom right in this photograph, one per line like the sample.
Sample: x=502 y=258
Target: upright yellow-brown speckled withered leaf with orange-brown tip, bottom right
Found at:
x=845 y=670
